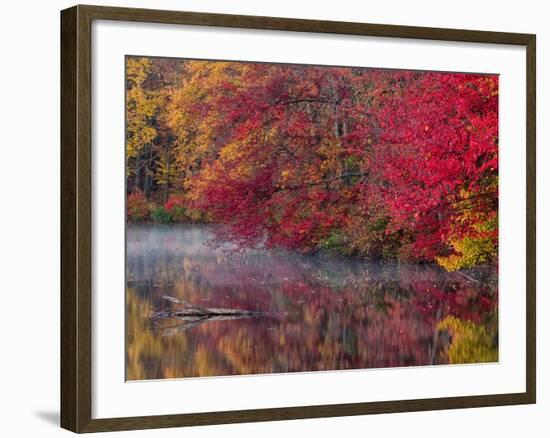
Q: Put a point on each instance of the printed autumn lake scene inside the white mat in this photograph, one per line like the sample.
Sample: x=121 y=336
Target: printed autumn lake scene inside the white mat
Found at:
x=323 y=175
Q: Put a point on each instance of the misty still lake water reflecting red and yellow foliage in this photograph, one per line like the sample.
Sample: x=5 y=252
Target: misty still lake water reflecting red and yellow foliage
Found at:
x=318 y=312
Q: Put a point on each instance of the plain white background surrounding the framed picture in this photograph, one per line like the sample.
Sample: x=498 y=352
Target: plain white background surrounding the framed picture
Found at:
x=29 y=216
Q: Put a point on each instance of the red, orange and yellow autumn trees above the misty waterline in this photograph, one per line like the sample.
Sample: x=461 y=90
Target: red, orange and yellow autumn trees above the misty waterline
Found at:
x=368 y=163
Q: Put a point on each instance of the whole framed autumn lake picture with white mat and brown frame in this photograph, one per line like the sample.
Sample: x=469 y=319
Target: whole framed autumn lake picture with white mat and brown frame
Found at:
x=271 y=218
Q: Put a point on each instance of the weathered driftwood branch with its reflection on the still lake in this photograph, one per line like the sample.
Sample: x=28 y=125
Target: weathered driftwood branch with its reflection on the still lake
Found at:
x=191 y=315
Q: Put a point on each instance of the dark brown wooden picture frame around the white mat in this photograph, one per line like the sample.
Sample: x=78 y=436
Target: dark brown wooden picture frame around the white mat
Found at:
x=76 y=225
